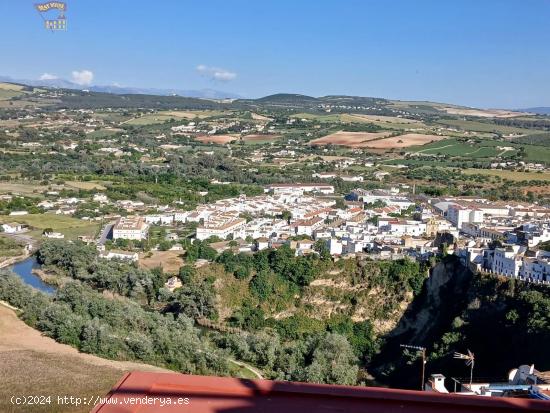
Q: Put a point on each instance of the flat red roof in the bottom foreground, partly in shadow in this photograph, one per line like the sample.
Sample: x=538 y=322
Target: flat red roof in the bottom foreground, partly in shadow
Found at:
x=136 y=392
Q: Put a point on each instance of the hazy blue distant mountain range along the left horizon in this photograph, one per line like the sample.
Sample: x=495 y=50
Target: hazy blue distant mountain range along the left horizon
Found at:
x=122 y=90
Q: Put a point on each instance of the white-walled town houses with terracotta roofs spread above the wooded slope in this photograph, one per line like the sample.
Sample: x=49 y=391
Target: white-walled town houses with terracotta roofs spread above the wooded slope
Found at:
x=500 y=237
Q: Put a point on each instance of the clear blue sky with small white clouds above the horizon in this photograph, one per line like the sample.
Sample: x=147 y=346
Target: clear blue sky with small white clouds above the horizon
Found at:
x=482 y=53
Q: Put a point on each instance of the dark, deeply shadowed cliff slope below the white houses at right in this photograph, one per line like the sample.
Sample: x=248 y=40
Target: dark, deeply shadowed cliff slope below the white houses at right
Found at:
x=504 y=322
